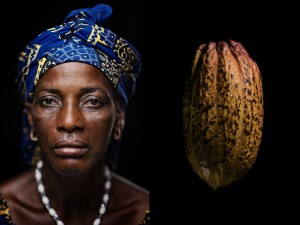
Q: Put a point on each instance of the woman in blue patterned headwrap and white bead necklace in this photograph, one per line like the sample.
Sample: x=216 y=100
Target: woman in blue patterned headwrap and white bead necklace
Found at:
x=75 y=80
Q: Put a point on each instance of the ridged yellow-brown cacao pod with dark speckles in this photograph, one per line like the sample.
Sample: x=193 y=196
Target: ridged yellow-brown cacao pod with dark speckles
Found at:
x=222 y=113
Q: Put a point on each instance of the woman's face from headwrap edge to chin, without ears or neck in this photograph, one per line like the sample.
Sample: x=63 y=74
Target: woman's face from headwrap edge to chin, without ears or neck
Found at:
x=74 y=116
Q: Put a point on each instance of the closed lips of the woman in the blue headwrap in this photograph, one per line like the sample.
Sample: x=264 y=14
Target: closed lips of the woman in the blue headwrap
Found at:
x=70 y=149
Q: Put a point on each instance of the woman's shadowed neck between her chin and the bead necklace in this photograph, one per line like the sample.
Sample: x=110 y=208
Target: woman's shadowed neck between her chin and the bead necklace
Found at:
x=83 y=192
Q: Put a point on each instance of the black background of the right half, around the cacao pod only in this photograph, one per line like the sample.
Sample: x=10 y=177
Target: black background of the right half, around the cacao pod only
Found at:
x=270 y=190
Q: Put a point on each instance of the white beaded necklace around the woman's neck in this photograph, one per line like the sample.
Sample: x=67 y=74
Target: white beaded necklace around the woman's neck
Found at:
x=52 y=212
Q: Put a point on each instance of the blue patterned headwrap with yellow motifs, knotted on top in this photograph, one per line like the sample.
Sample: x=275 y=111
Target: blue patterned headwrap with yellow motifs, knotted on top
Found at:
x=81 y=38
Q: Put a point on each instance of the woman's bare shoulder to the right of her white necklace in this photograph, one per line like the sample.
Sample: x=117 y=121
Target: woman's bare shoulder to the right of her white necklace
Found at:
x=128 y=198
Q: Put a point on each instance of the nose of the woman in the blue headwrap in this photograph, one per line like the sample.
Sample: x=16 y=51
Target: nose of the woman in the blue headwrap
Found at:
x=70 y=117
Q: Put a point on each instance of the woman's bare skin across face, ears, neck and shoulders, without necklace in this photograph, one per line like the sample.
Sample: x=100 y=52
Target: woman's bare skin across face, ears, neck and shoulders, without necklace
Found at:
x=75 y=115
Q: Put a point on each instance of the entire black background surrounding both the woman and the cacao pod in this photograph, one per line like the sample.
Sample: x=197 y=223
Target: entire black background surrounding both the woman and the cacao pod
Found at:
x=153 y=152
